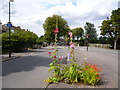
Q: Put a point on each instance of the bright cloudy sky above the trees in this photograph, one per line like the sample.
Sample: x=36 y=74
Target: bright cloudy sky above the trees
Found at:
x=31 y=14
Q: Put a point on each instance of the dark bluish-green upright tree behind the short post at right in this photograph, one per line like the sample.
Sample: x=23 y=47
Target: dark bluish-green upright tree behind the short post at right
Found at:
x=90 y=32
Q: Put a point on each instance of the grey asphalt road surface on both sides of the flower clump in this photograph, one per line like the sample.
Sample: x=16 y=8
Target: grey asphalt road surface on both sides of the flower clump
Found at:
x=31 y=71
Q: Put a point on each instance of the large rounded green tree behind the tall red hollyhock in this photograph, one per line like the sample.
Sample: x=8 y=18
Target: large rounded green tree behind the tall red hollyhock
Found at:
x=51 y=23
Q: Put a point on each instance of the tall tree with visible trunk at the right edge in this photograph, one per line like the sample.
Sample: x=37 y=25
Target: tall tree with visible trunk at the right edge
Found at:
x=111 y=28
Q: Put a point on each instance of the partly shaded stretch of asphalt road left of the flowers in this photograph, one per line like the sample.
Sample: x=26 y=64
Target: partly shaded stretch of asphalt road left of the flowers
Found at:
x=26 y=72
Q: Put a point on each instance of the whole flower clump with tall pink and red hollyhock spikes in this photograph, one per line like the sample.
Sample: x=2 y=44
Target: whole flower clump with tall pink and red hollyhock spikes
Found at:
x=72 y=72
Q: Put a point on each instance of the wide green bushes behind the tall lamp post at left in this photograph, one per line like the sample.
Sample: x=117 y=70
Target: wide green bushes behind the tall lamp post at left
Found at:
x=19 y=40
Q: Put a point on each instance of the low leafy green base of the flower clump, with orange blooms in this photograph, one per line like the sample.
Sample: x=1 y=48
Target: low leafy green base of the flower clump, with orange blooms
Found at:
x=74 y=73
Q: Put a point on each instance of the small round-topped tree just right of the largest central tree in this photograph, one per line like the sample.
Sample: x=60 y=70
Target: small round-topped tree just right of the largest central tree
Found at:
x=78 y=32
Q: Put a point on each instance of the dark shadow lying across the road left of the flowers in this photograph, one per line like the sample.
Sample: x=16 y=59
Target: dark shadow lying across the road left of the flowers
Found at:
x=27 y=63
